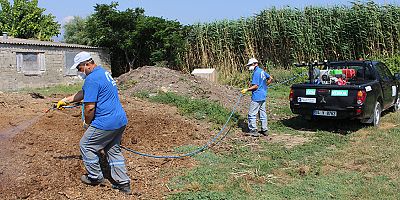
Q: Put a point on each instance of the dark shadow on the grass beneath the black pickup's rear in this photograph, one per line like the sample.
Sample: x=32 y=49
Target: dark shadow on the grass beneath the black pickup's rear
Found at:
x=335 y=126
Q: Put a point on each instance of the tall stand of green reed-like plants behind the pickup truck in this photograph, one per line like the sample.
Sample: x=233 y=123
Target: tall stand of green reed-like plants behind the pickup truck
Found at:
x=281 y=37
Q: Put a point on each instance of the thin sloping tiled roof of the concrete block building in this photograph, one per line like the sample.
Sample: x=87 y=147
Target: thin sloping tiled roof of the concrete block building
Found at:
x=18 y=41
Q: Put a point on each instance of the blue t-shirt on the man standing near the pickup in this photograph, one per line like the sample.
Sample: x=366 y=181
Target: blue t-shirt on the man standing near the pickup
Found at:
x=259 y=78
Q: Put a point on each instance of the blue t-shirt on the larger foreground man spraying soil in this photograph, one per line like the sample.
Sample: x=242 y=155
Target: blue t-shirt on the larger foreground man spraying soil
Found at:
x=100 y=88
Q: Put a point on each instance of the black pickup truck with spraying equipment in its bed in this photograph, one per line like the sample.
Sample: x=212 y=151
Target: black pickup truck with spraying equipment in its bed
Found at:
x=346 y=90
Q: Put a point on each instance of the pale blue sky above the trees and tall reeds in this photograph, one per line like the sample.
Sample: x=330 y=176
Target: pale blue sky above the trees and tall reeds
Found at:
x=186 y=11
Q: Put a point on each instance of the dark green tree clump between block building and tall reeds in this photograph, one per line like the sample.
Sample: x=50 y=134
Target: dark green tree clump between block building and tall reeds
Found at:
x=134 y=40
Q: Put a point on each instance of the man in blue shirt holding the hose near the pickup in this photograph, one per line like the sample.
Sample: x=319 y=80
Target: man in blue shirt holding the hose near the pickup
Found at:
x=259 y=88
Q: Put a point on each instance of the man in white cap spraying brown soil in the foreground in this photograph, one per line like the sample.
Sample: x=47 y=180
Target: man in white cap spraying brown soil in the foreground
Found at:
x=104 y=120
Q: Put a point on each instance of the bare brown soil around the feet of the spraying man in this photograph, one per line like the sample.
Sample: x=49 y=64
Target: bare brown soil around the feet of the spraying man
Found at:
x=40 y=153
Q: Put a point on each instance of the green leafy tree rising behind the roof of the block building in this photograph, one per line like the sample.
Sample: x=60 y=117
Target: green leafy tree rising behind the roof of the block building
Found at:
x=26 y=20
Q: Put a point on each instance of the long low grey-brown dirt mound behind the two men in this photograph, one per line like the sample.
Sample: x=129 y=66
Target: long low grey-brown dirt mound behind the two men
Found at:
x=154 y=79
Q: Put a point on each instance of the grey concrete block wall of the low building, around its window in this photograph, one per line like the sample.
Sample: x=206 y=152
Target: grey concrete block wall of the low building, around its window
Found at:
x=11 y=79
